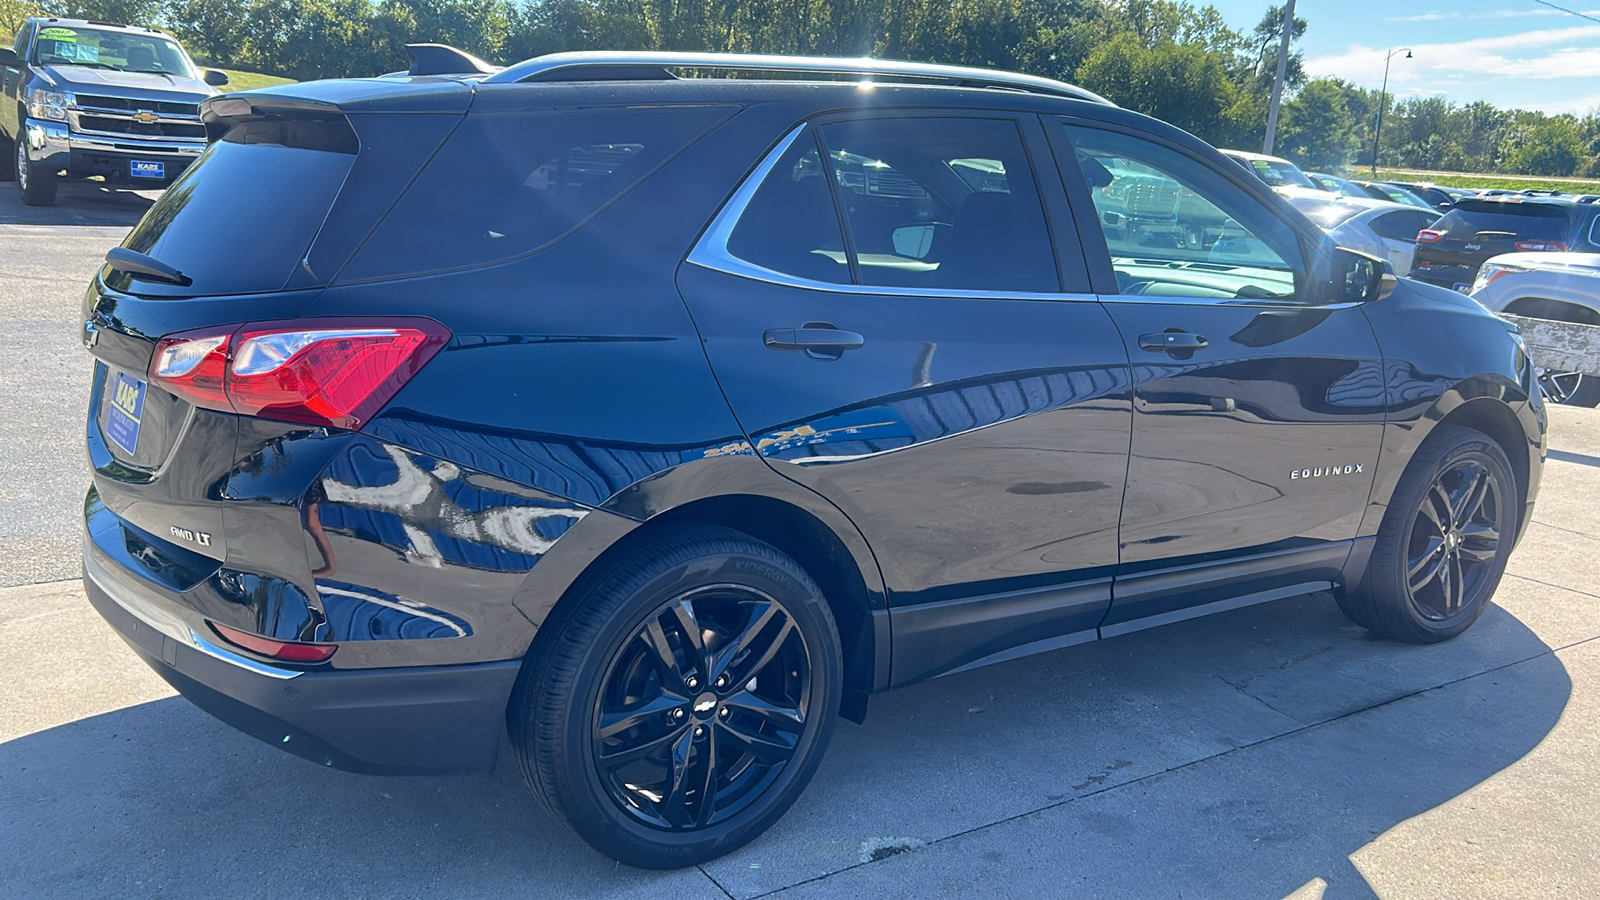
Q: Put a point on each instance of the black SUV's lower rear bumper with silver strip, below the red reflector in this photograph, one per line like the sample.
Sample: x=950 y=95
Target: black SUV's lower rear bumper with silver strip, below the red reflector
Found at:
x=393 y=721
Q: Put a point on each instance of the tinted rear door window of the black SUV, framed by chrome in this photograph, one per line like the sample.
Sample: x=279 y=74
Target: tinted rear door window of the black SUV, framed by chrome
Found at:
x=926 y=203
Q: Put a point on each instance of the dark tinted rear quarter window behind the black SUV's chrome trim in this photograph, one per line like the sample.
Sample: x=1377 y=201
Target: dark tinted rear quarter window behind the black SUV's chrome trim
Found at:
x=508 y=185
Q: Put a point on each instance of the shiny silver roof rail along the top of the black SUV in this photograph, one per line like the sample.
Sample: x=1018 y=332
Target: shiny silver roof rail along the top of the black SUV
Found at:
x=626 y=65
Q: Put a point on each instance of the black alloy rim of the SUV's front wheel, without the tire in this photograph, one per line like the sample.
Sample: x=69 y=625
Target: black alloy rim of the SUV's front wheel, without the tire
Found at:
x=1455 y=539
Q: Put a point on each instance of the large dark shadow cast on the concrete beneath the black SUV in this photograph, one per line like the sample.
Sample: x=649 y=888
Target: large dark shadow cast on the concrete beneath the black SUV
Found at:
x=1132 y=747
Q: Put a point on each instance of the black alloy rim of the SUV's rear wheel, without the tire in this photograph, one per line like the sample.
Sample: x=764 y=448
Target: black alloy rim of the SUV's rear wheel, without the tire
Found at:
x=703 y=709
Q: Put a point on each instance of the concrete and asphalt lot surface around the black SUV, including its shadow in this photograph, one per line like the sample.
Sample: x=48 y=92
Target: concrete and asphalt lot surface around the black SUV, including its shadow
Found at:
x=1268 y=752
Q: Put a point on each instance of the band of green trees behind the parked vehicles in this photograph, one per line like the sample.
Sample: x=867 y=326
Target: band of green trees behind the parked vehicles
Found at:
x=1169 y=58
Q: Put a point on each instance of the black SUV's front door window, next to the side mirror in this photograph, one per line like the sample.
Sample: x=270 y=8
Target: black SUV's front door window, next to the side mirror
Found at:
x=1177 y=228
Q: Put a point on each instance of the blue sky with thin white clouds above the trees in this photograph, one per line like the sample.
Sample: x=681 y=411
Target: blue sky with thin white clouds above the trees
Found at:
x=1513 y=54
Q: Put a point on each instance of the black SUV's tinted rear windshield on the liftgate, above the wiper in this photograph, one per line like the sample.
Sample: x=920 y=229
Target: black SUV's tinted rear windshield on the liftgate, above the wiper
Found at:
x=242 y=219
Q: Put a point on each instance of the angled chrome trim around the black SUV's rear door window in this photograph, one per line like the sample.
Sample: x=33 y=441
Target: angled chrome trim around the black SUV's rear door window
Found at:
x=711 y=251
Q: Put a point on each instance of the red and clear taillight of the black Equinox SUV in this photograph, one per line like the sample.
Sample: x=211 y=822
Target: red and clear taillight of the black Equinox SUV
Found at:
x=313 y=372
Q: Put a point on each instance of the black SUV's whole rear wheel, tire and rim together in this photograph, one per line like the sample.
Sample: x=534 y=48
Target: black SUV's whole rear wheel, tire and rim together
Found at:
x=626 y=677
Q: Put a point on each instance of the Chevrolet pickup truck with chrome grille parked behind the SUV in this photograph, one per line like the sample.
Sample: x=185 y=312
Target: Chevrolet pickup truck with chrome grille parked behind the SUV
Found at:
x=82 y=98
